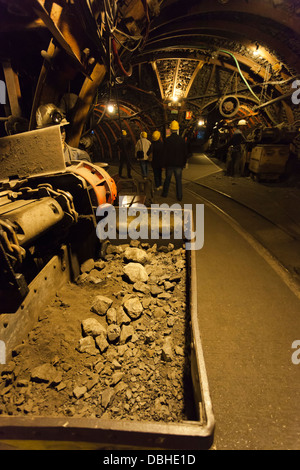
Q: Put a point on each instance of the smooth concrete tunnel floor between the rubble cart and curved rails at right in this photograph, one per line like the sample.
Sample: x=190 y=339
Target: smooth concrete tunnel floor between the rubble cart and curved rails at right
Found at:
x=249 y=318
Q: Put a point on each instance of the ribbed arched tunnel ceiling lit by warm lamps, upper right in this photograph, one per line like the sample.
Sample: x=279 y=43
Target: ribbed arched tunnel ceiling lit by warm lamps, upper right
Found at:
x=208 y=48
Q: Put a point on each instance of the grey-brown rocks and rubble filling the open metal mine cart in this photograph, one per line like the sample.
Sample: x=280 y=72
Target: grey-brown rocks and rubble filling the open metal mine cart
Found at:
x=142 y=372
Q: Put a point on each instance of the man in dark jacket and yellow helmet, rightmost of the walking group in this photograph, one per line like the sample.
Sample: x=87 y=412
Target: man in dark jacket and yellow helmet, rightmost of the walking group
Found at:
x=175 y=158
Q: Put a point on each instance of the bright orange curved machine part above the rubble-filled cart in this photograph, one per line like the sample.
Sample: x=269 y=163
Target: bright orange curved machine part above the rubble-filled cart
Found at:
x=103 y=185
